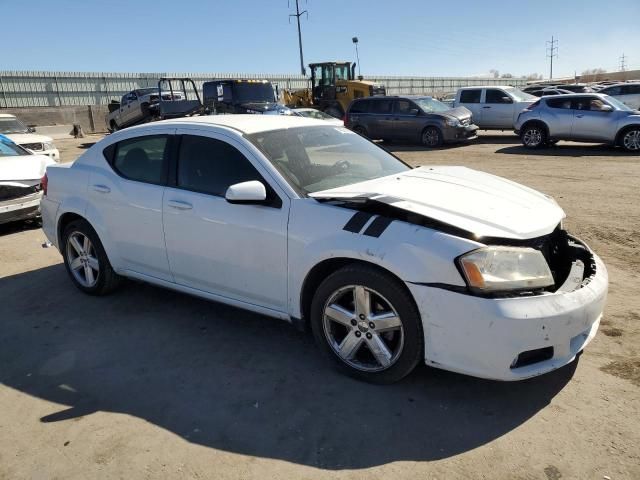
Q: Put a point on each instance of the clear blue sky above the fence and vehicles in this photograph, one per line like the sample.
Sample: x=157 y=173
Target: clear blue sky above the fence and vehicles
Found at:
x=404 y=37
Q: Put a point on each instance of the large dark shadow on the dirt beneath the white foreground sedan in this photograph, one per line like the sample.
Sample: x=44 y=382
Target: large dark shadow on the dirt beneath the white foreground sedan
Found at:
x=236 y=381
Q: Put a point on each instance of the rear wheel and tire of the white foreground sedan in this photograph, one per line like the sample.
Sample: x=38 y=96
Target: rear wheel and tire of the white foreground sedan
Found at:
x=87 y=263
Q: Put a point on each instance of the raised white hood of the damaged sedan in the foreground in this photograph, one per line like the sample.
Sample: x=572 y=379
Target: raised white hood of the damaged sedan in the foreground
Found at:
x=480 y=203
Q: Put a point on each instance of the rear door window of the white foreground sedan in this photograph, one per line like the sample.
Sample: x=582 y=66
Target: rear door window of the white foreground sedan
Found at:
x=143 y=159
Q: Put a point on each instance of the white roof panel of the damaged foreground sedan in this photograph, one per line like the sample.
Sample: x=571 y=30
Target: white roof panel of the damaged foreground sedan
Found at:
x=247 y=123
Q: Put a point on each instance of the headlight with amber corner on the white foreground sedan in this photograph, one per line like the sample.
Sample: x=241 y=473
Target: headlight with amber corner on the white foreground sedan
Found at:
x=494 y=269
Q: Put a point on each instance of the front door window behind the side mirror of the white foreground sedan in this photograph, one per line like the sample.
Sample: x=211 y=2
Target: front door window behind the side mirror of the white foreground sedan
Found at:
x=210 y=166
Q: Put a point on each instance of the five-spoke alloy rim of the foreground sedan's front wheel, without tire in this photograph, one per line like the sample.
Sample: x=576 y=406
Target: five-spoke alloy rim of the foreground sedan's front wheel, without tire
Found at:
x=363 y=329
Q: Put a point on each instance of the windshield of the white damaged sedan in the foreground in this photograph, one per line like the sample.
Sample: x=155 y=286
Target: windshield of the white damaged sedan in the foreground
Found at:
x=320 y=158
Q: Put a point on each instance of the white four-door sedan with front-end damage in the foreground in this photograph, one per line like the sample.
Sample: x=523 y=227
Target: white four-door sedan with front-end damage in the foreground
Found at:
x=313 y=224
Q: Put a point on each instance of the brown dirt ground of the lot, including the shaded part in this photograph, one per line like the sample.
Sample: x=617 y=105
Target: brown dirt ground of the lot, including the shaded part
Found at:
x=148 y=383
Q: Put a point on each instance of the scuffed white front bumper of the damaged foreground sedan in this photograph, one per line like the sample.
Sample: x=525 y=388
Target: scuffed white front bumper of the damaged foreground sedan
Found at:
x=513 y=338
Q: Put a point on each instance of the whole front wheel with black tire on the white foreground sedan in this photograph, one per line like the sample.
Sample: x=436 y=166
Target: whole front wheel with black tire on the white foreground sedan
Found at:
x=351 y=339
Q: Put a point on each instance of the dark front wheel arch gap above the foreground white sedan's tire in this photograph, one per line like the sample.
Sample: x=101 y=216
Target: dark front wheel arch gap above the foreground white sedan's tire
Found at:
x=323 y=269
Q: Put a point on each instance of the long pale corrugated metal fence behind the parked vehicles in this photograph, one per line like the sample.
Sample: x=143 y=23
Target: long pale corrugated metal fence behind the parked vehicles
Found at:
x=54 y=89
